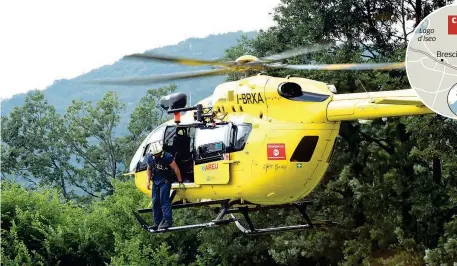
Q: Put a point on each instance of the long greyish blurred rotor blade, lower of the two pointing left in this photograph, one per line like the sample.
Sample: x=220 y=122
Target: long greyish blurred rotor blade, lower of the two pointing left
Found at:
x=145 y=80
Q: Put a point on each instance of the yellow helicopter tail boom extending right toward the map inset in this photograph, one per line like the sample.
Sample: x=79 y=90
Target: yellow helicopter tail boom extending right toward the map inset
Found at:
x=373 y=105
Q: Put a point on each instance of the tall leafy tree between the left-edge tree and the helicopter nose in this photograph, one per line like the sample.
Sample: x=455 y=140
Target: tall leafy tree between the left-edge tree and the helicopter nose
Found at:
x=92 y=139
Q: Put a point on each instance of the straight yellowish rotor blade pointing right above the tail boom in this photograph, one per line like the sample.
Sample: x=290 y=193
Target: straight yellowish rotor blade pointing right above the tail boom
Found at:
x=368 y=66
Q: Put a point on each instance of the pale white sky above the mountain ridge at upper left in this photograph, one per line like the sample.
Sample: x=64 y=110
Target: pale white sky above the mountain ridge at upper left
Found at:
x=42 y=41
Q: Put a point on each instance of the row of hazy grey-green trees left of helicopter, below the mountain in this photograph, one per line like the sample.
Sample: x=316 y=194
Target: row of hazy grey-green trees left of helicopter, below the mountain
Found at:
x=79 y=150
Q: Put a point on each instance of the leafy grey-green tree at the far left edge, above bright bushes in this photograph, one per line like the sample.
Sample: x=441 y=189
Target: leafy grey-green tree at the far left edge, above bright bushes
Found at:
x=33 y=147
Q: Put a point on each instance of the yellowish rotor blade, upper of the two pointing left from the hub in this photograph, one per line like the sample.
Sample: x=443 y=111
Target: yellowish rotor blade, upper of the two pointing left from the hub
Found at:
x=178 y=60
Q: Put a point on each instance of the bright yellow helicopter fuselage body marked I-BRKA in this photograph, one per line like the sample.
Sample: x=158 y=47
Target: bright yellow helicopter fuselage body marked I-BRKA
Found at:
x=254 y=174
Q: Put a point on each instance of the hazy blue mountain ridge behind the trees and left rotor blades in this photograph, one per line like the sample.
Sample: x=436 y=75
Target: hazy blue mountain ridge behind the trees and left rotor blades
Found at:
x=61 y=93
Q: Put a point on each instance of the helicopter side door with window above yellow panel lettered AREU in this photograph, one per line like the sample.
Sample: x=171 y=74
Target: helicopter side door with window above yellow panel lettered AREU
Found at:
x=211 y=160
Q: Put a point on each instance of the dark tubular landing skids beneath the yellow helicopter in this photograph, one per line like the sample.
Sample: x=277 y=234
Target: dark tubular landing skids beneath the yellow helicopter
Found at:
x=227 y=208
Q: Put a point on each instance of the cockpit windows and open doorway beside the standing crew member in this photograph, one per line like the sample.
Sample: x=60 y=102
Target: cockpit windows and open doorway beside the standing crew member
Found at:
x=193 y=144
